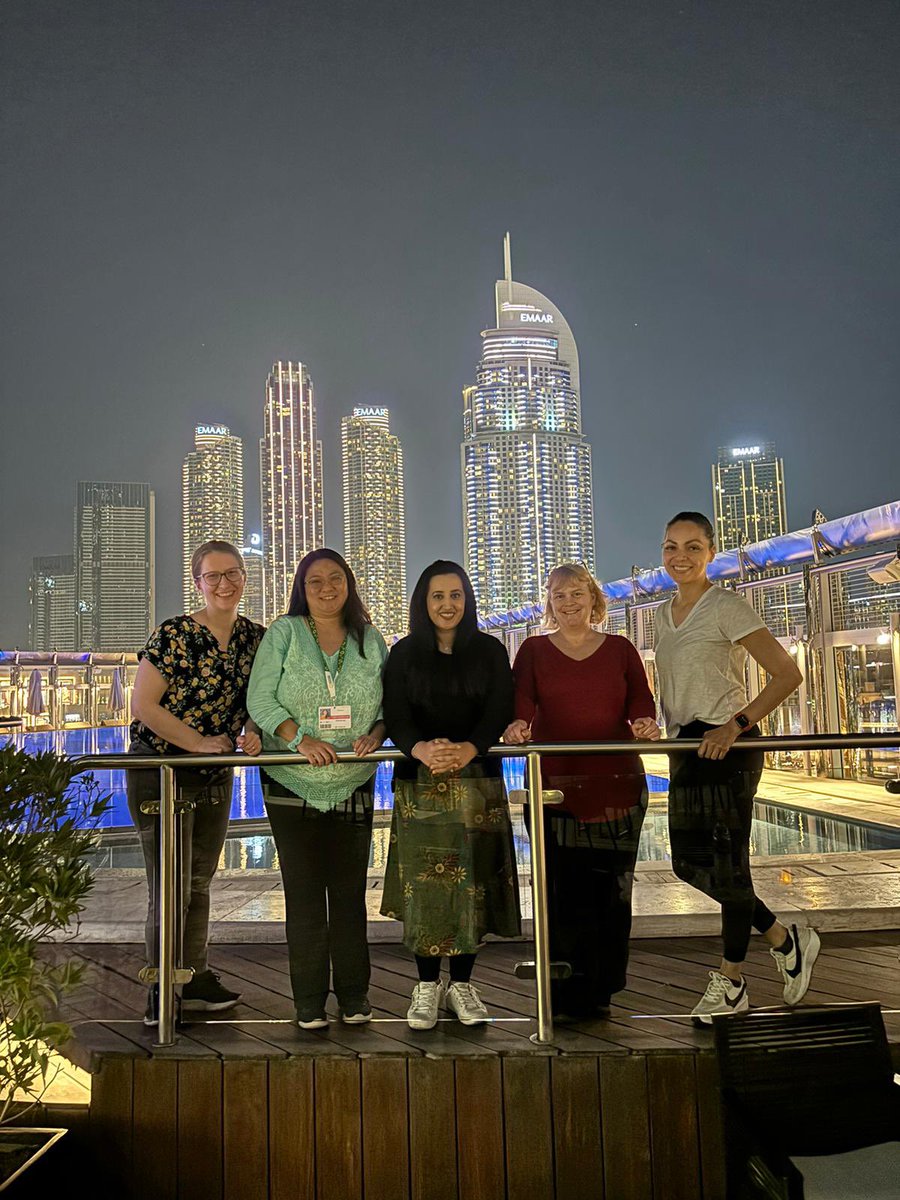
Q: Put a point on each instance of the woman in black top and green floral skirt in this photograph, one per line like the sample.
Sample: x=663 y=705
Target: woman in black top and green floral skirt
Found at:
x=452 y=872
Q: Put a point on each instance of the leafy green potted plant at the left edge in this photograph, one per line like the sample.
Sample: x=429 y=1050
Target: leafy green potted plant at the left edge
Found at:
x=46 y=829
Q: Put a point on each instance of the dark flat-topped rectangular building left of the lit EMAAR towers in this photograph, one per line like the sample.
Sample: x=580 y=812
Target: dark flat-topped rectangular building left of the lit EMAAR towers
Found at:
x=116 y=566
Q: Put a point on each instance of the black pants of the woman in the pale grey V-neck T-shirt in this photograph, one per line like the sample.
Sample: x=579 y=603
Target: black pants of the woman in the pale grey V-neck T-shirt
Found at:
x=711 y=809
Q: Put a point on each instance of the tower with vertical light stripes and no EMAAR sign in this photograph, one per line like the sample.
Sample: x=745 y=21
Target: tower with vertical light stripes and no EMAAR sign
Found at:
x=290 y=481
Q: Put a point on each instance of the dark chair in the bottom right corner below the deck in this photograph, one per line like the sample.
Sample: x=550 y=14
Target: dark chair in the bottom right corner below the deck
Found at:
x=809 y=1105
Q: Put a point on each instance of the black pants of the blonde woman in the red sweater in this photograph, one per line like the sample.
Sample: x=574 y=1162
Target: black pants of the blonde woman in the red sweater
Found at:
x=591 y=868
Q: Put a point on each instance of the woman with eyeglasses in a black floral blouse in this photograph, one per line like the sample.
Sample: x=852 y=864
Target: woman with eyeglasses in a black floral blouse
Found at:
x=191 y=698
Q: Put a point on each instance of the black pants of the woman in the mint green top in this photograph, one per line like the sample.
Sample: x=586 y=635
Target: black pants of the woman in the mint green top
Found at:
x=325 y=860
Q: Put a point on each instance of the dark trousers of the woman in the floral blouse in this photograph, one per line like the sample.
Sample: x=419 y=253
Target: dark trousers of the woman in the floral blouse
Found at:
x=202 y=832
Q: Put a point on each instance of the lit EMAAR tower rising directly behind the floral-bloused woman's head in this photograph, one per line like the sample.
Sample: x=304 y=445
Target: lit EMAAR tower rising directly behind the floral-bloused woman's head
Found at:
x=212 y=496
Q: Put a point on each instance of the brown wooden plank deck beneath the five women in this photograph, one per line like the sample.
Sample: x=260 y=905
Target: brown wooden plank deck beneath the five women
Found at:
x=250 y=1107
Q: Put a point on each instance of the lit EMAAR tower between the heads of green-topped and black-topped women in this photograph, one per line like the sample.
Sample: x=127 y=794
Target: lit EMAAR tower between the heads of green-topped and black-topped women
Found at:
x=375 y=537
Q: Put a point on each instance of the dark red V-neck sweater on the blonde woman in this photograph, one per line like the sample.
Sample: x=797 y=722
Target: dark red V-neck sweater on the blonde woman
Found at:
x=592 y=700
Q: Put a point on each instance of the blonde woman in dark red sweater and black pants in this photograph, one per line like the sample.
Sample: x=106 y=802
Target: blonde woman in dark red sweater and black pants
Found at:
x=581 y=686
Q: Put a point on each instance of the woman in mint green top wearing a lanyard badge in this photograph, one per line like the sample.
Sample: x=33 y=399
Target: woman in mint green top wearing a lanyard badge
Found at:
x=316 y=688
